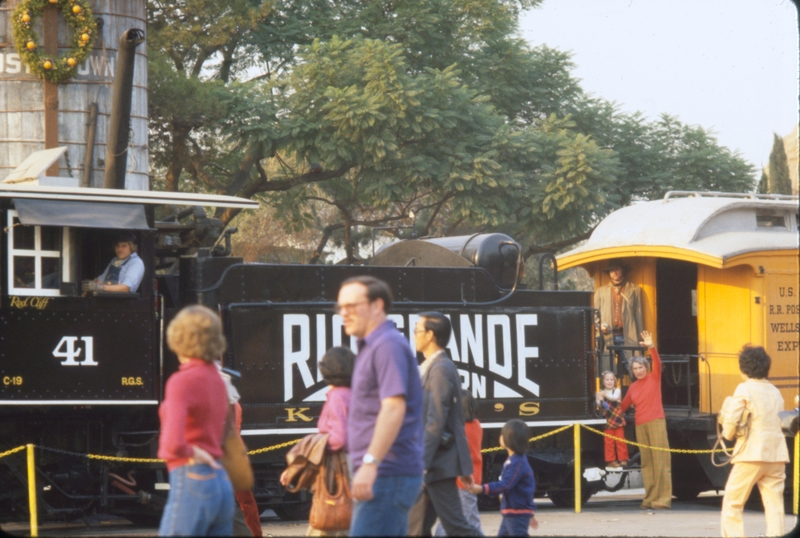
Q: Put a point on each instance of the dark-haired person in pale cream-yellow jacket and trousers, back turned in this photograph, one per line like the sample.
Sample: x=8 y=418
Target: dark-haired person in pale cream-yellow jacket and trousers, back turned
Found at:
x=761 y=456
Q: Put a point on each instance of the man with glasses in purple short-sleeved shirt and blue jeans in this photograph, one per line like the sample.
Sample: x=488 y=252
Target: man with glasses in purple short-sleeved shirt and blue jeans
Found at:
x=384 y=427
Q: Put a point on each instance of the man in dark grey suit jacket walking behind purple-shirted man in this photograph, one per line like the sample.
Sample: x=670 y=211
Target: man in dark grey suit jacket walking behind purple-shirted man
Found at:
x=447 y=453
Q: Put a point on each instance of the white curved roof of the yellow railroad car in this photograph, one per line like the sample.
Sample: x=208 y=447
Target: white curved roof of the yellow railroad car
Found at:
x=711 y=226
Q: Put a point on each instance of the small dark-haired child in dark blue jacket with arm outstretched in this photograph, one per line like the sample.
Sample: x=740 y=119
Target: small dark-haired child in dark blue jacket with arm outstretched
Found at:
x=516 y=485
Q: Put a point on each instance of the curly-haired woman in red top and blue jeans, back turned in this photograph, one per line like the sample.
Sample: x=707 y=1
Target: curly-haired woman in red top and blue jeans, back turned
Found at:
x=193 y=414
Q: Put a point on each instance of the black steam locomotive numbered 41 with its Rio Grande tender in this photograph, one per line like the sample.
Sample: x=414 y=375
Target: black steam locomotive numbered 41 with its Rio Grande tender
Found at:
x=85 y=374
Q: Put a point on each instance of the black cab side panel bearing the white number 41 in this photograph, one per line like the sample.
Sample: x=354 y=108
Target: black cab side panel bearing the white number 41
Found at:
x=60 y=356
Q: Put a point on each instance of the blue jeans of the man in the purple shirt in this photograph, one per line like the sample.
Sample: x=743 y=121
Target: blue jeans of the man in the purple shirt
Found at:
x=386 y=514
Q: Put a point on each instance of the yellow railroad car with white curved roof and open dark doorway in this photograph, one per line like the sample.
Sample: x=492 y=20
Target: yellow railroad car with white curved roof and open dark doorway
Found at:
x=717 y=271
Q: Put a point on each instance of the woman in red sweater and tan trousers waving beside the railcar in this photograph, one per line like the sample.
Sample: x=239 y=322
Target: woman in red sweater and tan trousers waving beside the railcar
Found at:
x=651 y=428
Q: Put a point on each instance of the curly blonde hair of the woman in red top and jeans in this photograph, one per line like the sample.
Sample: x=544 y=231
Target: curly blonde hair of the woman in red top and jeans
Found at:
x=196 y=332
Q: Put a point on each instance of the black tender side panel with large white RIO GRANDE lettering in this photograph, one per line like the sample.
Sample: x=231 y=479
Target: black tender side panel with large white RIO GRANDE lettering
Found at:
x=517 y=362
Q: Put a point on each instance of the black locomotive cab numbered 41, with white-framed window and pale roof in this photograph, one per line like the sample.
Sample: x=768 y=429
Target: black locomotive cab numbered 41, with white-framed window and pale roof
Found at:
x=81 y=372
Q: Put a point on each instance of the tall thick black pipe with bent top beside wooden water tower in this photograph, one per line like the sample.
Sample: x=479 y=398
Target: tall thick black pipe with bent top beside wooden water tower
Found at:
x=118 y=128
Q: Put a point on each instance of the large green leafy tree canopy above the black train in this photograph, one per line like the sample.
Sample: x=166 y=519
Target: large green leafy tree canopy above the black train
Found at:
x=357 y=113
